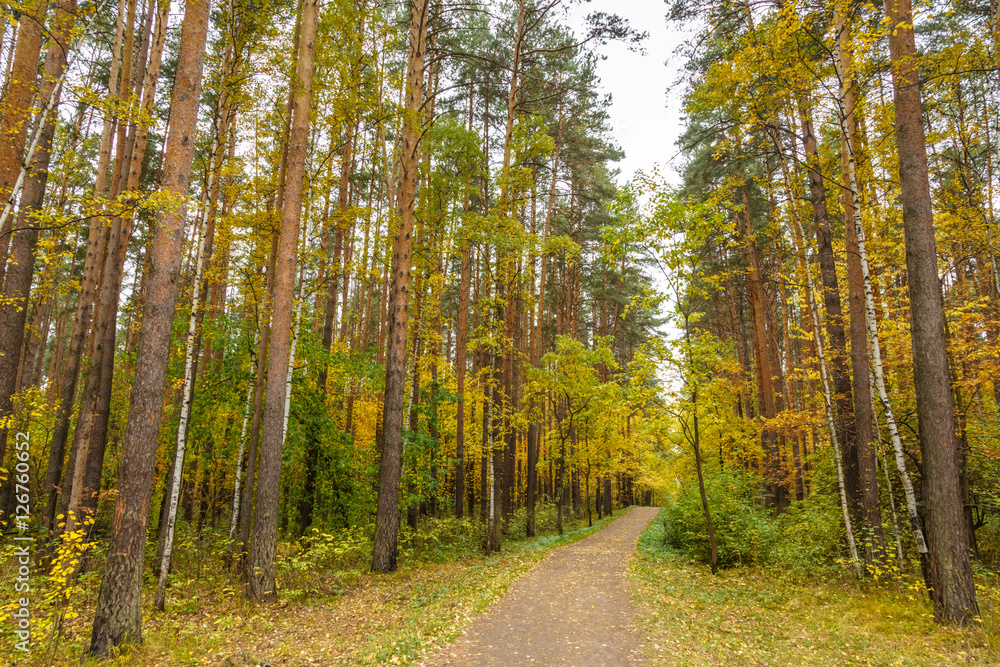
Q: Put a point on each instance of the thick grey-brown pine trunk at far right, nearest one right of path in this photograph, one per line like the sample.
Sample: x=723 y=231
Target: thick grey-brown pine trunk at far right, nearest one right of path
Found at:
x=953 y=591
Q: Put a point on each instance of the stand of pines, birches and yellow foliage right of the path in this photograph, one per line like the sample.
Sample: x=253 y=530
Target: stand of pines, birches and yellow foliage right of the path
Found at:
x=833 y=257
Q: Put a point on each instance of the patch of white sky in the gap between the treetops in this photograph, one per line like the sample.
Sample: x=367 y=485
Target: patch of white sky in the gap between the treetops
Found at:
x=645 y=121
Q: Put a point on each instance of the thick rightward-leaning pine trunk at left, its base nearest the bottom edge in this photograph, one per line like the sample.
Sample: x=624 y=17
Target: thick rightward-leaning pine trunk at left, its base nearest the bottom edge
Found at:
x=119 y=612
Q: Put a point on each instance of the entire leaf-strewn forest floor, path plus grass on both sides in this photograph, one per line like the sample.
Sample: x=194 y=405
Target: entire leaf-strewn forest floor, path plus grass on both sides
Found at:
x=569 y=605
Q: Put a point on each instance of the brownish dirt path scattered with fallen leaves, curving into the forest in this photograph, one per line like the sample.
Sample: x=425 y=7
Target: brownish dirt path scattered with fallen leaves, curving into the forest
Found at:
x=573 y=608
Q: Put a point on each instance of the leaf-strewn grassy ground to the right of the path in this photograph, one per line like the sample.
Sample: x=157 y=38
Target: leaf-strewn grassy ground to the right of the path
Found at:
x=752 y=616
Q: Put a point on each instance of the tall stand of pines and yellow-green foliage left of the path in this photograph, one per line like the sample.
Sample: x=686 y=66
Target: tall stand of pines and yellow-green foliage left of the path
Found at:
x=276 y=267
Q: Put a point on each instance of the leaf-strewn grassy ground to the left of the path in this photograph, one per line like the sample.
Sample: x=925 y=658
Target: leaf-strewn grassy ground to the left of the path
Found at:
x=331 y=610
